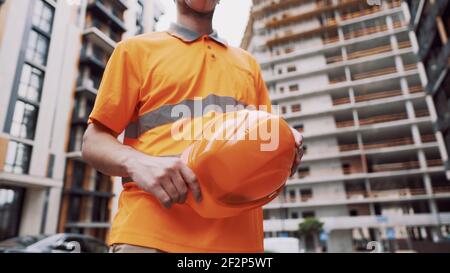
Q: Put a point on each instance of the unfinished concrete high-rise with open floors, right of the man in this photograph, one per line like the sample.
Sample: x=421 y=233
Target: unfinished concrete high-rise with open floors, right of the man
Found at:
x=345 y=73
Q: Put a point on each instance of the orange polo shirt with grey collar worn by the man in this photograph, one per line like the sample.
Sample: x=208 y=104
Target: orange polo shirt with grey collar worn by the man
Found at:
x=146 y=77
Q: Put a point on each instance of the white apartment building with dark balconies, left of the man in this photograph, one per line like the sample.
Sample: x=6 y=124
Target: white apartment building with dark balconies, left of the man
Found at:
x=52 y=54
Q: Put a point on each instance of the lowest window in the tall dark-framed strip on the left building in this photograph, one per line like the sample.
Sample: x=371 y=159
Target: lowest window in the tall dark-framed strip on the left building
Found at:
x=24 y=120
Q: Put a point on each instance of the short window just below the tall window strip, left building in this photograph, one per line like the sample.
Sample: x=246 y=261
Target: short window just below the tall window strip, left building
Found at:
x=17 y=158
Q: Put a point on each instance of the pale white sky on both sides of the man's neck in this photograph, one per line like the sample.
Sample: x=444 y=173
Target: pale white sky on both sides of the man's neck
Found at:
x=230 y=19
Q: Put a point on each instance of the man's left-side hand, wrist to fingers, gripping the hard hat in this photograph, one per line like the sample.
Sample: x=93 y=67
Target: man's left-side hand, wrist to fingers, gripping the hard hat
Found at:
x=166 y=178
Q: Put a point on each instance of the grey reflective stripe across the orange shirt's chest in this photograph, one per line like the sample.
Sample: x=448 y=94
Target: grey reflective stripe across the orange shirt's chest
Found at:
x=171 y=113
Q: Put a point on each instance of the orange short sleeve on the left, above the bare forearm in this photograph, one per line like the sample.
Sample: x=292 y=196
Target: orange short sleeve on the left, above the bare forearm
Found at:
x=118 y=94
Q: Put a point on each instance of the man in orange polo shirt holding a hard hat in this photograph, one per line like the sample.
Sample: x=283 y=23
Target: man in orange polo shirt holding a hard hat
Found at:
x=147 y=77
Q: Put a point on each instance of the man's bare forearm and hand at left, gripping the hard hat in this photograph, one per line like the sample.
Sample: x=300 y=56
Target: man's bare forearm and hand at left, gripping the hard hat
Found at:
x=166 y=178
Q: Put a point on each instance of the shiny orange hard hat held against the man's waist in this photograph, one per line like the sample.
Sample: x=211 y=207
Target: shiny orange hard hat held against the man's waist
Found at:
x=242 y=164
